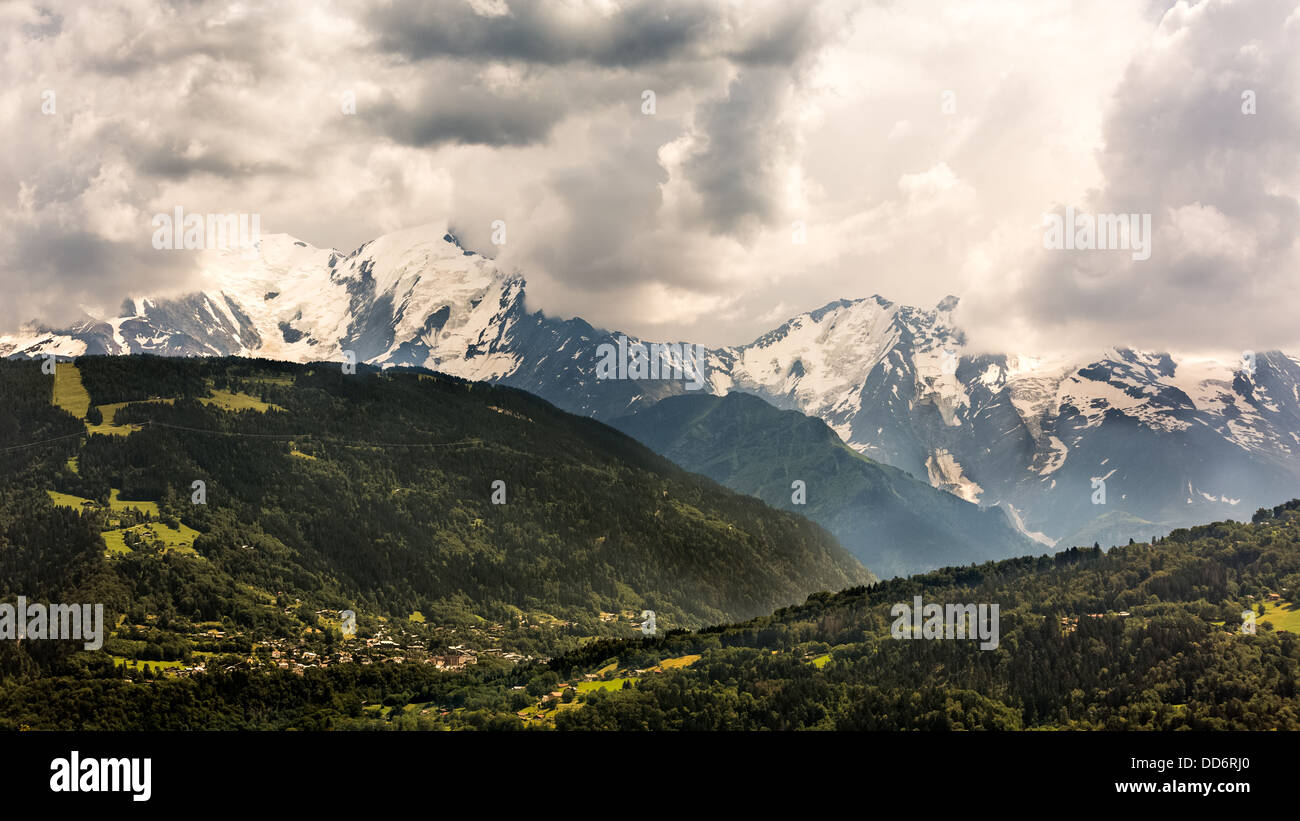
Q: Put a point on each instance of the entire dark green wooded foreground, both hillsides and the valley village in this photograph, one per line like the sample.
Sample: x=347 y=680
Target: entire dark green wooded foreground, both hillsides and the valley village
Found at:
x=223 y=613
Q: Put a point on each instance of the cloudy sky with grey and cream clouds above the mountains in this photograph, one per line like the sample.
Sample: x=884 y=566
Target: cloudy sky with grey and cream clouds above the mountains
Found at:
x=795 y=154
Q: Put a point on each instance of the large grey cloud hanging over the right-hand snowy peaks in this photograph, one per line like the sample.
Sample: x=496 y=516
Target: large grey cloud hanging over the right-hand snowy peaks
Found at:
x=1178 y=147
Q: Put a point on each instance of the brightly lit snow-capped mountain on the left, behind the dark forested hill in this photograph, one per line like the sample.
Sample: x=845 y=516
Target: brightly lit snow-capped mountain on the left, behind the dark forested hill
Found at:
x=410 y=298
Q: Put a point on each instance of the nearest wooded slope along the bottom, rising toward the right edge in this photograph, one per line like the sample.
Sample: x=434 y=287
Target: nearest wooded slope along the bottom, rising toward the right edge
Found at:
x=1146 y=637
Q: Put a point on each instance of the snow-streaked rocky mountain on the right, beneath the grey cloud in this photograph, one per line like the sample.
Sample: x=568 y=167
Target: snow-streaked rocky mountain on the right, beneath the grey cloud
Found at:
x=1125 y=445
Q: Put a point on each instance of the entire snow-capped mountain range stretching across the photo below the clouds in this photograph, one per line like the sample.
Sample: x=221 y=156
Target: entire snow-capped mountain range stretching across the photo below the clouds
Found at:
x=1120 y=445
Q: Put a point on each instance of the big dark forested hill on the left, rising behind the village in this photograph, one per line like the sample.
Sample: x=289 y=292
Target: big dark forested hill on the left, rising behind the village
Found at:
x=253 y=499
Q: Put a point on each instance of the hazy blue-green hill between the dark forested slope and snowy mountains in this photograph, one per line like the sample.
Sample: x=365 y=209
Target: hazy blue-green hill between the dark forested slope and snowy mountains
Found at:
x=892 y=523
